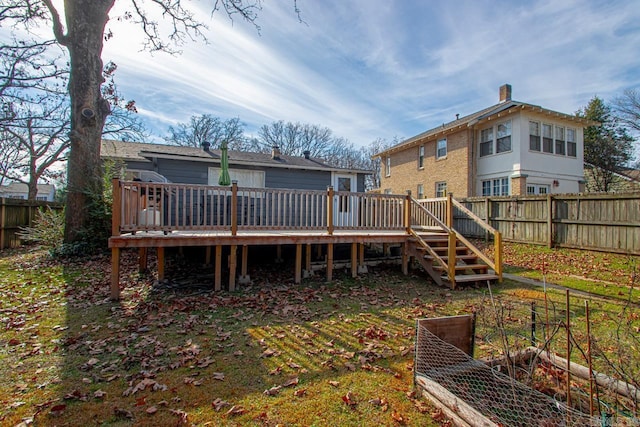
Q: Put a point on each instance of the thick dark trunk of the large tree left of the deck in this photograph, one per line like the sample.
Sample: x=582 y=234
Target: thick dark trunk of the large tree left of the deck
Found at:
x=86 y=20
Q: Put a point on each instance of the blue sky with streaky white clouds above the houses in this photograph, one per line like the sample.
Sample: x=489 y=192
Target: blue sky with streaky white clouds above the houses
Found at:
x=372 y=69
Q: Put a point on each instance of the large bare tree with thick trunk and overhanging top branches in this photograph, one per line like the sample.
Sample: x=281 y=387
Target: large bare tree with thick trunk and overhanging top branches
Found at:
x=83 y=32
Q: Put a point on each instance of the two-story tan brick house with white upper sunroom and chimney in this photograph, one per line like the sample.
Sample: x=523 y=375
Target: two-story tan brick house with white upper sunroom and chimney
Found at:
x=510 y=148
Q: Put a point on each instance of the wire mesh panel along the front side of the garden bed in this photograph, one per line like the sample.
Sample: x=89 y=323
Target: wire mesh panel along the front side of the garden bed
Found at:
x=503 y=400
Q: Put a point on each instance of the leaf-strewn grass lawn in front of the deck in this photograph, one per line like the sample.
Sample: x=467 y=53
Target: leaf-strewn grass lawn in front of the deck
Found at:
x=273 y=353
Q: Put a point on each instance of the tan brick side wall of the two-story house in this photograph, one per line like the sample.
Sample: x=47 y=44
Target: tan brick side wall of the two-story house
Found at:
x=453 y=169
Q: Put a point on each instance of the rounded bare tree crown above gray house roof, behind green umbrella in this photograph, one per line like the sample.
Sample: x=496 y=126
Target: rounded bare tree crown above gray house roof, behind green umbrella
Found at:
x=208 y=129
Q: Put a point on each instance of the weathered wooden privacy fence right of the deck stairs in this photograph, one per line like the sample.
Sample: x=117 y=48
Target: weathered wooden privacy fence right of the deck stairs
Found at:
x=604 y=222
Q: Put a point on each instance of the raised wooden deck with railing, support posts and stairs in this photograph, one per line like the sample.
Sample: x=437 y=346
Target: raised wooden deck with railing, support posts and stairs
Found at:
x=154 y=215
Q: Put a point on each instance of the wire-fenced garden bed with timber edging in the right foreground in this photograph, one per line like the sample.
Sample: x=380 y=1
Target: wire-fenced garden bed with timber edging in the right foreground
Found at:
x=522 y=382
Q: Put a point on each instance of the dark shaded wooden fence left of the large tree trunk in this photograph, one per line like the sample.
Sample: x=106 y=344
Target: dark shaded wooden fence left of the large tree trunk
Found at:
x=17 y=213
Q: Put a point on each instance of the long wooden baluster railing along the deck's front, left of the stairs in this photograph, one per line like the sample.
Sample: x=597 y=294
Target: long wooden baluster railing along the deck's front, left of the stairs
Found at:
x=145 y=206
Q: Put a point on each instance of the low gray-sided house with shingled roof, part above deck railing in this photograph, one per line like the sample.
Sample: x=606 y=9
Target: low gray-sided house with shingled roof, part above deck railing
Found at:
x=190 y=165
